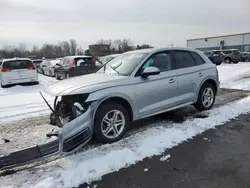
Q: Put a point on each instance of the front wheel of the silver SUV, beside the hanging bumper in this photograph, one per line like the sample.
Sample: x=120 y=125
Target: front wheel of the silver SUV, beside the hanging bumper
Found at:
x=111 y=122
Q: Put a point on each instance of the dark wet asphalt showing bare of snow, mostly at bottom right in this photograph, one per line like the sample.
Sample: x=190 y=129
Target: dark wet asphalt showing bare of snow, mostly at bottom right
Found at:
x=218 y=158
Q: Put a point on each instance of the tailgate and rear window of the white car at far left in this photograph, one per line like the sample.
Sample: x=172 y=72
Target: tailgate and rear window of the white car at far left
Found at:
x=18 y=69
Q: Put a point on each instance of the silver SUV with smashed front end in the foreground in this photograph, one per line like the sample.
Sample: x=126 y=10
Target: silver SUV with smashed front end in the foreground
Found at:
x=132 y=86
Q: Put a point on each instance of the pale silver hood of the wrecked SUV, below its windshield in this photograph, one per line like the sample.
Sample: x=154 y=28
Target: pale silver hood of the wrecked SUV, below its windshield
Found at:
x=83 y=84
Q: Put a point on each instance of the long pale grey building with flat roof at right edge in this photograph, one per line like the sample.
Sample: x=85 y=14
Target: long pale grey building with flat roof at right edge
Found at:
x=239 y=41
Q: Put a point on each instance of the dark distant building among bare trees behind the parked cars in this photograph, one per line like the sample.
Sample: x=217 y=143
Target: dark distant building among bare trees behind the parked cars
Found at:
x=98 y=50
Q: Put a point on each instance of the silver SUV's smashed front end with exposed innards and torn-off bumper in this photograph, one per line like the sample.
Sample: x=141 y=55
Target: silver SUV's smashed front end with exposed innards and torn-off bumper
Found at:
x=74 y=116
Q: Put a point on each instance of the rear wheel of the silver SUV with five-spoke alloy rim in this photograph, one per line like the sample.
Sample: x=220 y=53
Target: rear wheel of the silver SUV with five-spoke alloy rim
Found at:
x=206 y=97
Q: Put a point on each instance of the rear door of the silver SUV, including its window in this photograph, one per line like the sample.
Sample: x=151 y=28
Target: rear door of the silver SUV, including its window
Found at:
x=188 y=74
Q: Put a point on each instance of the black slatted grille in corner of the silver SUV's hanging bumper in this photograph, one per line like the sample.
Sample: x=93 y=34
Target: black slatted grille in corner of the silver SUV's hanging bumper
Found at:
x=76 y=140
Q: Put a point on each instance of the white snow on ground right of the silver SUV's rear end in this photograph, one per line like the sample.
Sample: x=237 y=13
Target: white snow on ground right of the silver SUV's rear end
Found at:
x=235 y=76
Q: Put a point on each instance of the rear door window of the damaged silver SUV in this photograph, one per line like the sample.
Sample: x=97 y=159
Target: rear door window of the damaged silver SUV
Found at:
x=183 y=59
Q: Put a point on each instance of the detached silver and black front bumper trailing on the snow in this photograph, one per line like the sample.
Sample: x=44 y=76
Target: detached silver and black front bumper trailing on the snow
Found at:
x=70 y=138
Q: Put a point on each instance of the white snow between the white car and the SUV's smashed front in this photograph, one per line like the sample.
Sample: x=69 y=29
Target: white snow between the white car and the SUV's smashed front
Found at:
x=20 y=102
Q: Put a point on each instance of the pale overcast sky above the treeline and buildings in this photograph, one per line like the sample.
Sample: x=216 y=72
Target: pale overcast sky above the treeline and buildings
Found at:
x=155 y=22
